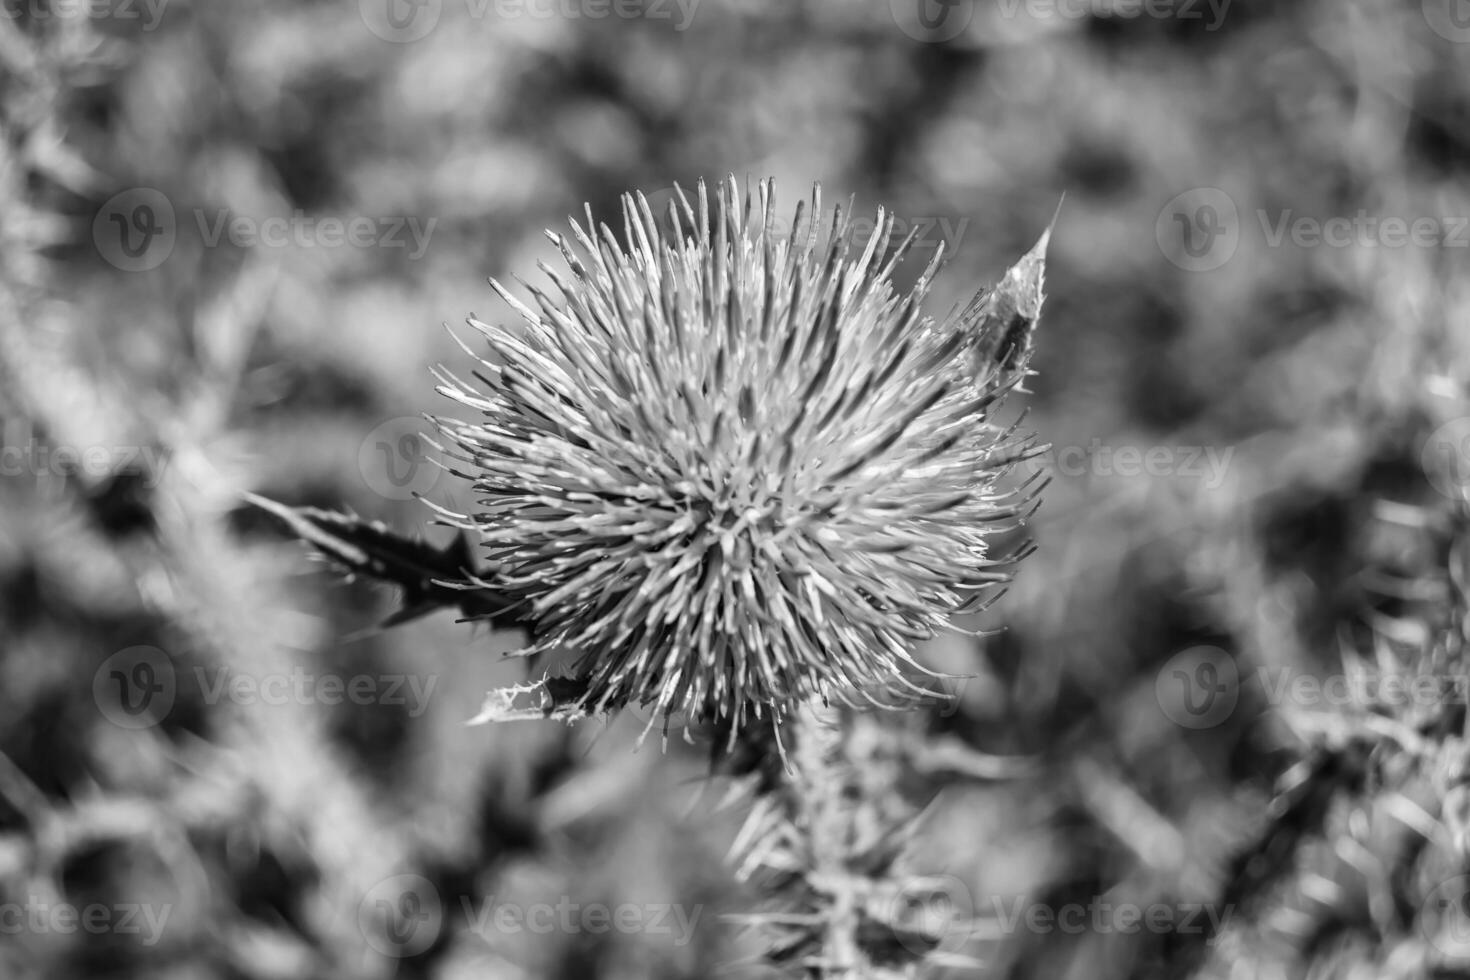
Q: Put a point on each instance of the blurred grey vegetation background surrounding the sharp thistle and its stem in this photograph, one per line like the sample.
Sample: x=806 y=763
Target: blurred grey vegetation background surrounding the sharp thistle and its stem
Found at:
x=1300 y=515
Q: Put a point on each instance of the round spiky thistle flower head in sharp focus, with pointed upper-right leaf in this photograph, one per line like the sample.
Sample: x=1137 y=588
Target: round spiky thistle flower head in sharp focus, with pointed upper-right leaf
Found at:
x=736 y=468
